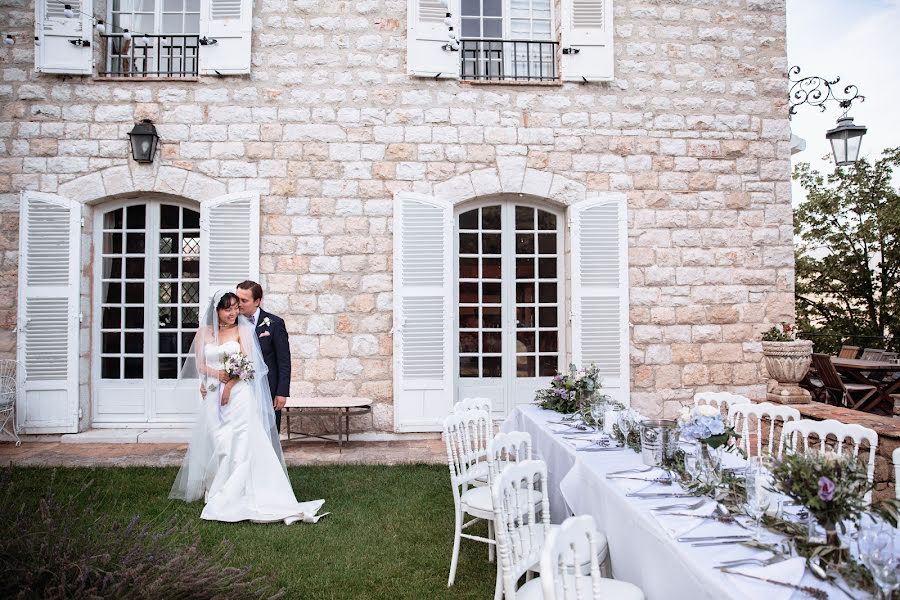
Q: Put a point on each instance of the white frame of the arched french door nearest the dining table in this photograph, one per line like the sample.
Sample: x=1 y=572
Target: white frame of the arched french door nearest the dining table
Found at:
x=508 y=291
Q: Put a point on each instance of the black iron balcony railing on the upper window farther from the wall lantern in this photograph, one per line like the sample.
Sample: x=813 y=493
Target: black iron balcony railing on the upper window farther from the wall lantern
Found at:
x=508 y=60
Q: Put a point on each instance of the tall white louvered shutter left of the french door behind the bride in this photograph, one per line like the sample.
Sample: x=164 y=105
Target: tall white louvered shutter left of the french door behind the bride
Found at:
x=48 y=312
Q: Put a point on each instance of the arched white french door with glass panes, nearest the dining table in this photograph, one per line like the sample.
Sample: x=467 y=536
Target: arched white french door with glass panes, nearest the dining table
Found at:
x=509 y=296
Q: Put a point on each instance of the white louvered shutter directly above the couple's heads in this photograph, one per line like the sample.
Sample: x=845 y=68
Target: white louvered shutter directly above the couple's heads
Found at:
x=229 y=242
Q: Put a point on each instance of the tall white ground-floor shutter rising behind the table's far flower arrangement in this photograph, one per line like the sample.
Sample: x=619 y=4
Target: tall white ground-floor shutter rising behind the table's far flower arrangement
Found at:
x=600 y=292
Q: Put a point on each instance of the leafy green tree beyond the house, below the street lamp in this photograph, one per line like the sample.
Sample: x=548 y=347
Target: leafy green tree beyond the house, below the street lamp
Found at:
x=848 y=256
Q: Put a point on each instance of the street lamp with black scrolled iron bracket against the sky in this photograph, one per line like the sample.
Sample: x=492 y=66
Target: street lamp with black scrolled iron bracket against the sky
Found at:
x=846 y=137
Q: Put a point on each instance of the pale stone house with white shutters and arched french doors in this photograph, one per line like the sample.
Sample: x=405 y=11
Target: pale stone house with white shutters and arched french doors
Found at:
x=438 y=206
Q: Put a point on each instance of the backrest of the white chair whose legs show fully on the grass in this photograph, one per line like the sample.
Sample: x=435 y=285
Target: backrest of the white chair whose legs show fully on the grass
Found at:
x=466 y=435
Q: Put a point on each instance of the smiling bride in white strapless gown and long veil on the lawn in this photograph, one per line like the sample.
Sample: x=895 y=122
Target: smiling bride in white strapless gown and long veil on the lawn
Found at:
x=234 y=459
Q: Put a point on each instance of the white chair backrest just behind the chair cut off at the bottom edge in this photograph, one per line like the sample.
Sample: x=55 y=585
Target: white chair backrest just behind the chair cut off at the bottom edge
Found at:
x=520 y=521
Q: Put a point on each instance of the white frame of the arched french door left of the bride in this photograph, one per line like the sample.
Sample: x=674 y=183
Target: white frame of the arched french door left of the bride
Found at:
x=149 y=385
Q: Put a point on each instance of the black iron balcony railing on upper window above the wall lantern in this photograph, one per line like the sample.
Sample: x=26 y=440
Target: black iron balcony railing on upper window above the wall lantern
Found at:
x=150 y=56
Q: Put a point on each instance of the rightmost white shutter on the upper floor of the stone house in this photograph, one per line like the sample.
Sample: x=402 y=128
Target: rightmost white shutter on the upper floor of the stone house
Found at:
x=587 y=40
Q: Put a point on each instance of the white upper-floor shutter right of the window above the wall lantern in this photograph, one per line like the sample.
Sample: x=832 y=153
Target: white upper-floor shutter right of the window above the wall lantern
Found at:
x=230 y=23
